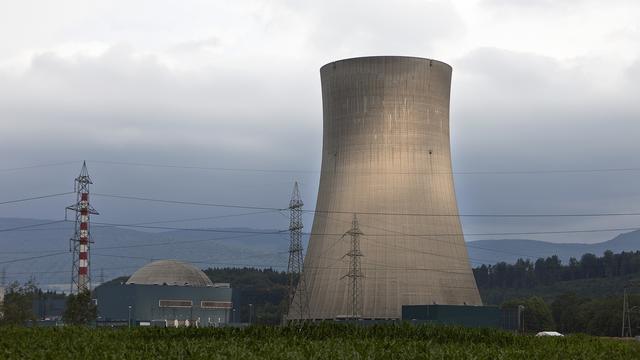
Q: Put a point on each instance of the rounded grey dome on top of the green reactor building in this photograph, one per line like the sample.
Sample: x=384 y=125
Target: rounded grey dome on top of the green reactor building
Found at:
x=170 y=272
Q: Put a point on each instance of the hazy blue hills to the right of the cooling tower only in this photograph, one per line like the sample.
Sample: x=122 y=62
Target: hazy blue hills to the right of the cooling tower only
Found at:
x=493 y=251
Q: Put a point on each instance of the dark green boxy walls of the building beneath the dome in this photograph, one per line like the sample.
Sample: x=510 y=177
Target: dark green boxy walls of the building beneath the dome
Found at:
x=114 y=300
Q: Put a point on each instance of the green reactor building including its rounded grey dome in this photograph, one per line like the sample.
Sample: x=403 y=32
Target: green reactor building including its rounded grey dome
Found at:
x=165 y=293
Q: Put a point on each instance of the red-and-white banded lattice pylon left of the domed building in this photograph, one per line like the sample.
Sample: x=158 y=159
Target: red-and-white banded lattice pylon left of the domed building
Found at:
x=81 y=241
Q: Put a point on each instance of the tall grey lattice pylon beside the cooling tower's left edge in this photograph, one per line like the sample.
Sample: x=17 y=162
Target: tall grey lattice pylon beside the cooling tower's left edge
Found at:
x=298 y=296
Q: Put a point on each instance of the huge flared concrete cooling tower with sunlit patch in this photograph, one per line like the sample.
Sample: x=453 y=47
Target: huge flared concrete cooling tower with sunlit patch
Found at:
x=386 y=158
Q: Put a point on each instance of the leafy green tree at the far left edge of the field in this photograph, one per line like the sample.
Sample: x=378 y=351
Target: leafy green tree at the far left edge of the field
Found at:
x=17 y=305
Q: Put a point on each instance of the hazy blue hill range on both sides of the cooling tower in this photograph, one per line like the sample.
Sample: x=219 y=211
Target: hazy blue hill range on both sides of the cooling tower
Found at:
x=120 y=251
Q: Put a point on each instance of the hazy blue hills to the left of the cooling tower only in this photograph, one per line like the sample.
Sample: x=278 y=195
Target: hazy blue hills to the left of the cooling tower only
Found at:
x=120 y=251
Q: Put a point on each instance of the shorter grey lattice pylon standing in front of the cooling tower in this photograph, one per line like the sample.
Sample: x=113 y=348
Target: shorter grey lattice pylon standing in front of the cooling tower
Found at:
x=355 y=269
